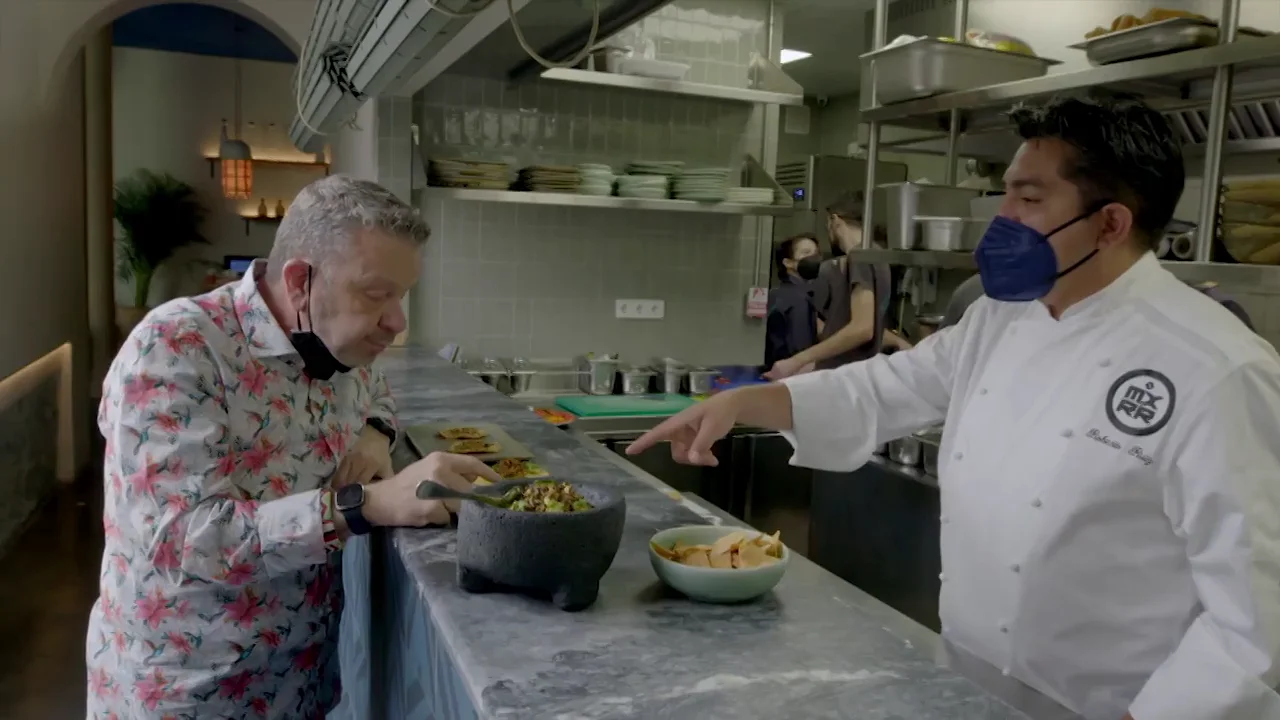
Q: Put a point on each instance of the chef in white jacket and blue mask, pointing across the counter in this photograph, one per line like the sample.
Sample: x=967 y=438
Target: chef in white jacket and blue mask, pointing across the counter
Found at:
x=1110 y=472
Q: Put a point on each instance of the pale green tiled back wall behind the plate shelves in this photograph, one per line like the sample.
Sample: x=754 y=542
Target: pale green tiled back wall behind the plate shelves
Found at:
x=522 y=280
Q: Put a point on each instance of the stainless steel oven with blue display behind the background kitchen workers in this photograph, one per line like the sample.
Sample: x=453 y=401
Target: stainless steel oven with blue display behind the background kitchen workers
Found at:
x=821 y=180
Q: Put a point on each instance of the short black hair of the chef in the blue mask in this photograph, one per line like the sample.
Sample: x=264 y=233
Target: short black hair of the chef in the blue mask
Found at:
x=1124 y=152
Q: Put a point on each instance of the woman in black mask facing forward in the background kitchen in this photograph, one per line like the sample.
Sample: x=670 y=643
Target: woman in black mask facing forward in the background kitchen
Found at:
x=792 y=325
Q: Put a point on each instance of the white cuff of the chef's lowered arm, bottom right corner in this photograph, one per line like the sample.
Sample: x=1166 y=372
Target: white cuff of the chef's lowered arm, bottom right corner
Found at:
x=1200 y=681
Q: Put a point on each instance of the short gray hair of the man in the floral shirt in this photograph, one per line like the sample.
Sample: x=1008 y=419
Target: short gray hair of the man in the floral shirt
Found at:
x=326 y=216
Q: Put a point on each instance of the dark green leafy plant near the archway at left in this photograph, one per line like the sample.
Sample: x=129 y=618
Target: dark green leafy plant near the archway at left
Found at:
x=158 y=215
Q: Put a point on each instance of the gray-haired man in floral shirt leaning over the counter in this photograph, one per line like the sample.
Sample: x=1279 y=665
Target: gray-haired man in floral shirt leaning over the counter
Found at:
x=231 y=421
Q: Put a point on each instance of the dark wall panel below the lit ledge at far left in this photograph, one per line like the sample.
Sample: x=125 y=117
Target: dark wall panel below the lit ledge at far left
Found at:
x=30 y=452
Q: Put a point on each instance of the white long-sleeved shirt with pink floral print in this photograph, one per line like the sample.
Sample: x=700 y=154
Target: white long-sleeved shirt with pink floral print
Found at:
x=220 y=596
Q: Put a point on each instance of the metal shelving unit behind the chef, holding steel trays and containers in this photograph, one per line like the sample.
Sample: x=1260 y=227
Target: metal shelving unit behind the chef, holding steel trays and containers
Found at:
x=1177 y=84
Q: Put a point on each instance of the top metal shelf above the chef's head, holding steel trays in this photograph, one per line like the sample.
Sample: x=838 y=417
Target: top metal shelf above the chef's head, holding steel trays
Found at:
x=1165 y=83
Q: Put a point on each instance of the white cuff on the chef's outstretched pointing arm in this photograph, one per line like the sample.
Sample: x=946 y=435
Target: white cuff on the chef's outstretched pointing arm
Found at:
x=830 y=431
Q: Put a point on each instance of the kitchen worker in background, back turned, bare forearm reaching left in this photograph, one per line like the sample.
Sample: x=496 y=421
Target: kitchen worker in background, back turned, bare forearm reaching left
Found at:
x=852 y=299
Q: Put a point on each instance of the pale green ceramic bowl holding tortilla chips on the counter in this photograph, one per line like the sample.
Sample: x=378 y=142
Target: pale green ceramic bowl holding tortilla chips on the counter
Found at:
x=714 y=585
